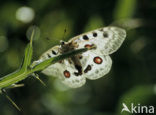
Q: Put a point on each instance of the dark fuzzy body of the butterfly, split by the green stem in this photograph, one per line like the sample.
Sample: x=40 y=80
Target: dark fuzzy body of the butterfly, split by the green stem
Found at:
x=69 y=46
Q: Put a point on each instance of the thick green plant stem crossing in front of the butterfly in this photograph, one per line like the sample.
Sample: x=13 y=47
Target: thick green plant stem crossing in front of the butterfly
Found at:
x=21 y=74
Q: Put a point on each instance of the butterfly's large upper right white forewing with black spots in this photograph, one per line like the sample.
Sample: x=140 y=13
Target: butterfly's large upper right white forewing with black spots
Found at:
x=107 y=39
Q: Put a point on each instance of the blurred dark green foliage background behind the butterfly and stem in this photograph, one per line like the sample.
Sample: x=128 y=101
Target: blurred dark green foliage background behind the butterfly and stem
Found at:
x=131 y=80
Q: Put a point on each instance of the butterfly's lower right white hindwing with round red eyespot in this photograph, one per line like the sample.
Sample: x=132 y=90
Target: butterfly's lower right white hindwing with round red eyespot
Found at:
x=95 y=66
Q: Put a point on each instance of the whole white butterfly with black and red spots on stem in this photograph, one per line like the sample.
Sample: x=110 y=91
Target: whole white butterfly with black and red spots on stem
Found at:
x=92 y=64
